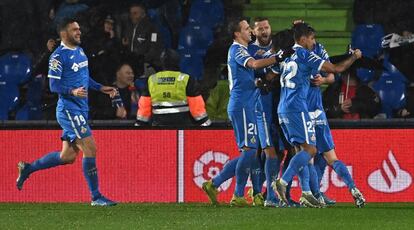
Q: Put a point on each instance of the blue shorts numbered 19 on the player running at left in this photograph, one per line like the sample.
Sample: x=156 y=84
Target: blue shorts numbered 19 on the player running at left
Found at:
x=74 y=124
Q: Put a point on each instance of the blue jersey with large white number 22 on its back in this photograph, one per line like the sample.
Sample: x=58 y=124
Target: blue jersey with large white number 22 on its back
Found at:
x=295 y=80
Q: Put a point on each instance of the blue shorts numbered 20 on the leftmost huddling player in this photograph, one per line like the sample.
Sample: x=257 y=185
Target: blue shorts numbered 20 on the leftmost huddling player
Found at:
x=244 y=126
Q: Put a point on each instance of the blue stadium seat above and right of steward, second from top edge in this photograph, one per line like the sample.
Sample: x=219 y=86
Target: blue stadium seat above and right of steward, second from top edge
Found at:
x=195 y=37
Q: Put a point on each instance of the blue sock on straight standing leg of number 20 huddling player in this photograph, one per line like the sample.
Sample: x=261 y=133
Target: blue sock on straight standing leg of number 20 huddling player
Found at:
x=242 y=170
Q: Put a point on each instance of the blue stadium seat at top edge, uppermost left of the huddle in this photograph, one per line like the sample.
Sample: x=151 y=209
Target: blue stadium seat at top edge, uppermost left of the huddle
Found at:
x=206 y=12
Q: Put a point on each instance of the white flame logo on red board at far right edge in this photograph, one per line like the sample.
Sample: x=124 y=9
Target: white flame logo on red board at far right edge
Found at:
x=390 y=178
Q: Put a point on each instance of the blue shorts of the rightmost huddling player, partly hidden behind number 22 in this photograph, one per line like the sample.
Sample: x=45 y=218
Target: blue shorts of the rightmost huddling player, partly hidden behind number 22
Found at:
x=324 y=140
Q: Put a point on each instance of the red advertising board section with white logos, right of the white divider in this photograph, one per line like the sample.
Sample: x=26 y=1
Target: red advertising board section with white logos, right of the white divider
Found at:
x=380 y=161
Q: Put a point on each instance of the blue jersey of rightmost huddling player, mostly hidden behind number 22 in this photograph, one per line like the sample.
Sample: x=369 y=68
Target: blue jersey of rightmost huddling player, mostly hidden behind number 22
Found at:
x=314 y=94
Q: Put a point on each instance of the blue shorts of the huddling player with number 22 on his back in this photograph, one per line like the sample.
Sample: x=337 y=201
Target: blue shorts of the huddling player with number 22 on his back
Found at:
x=298 y=128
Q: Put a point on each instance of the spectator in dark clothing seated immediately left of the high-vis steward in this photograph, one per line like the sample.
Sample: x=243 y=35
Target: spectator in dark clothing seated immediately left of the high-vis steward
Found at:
x=124 y=104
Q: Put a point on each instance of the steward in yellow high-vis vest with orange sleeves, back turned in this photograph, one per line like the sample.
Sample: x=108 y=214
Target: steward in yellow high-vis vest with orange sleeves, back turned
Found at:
x=172 y=98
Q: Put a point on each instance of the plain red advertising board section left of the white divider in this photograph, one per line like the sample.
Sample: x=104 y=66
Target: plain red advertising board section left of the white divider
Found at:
x=133 y=166
